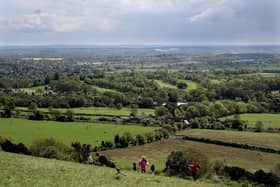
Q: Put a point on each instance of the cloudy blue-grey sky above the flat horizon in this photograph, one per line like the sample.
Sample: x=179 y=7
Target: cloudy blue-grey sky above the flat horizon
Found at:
x=142 y=22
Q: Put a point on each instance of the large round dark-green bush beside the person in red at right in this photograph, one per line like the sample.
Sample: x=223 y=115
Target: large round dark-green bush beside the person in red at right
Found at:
x=177 y=162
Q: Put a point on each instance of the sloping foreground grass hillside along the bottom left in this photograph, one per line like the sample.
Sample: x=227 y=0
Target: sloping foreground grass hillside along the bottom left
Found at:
x=19 y=170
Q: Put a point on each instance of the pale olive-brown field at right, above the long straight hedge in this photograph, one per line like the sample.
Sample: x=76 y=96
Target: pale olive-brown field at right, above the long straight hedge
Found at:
x=270 y=140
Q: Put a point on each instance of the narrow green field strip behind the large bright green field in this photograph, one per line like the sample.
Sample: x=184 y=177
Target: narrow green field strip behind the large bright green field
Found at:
x=100 y=111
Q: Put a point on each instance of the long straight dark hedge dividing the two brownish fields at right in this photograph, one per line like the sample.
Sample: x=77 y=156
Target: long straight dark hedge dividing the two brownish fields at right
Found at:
x=231 y=144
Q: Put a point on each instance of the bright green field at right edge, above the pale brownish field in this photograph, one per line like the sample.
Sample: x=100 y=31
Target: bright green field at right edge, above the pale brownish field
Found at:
x=269 y=120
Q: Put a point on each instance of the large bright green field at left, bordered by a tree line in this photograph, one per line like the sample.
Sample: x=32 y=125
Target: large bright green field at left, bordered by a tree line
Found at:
x=26 y=131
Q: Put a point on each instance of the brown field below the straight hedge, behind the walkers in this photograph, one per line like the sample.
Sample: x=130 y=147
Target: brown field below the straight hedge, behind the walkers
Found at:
x=157 y=153
